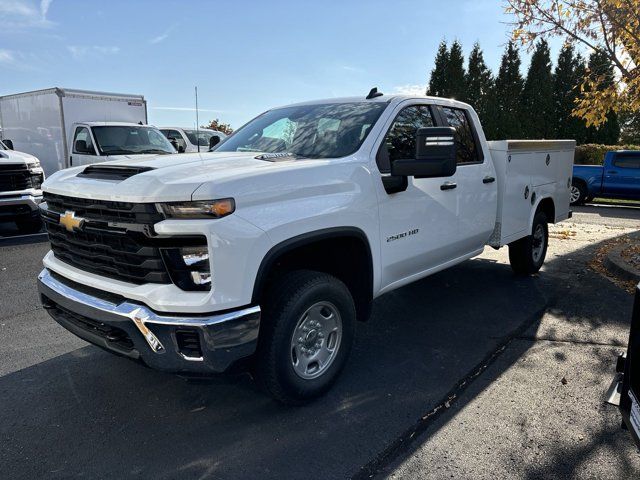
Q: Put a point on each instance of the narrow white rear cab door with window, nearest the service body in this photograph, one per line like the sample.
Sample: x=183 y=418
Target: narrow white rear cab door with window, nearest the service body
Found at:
x=476 y=179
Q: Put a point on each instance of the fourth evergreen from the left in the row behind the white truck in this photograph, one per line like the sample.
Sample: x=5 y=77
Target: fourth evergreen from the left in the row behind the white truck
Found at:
x=508 y=88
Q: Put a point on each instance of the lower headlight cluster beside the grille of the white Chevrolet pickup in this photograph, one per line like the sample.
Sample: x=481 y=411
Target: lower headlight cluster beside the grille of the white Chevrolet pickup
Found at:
x=189 y=267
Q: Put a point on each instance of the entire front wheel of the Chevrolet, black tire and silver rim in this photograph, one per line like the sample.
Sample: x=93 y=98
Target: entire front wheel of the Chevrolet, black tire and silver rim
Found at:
x=306 y=335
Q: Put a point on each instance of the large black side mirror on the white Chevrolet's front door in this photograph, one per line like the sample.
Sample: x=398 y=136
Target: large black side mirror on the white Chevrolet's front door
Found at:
x=435 y=155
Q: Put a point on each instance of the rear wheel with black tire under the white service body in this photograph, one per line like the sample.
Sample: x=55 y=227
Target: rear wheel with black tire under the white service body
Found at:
x=525 y=255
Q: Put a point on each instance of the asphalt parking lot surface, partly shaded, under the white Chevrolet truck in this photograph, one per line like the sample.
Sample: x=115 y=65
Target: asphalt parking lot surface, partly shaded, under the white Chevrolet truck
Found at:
x=459 y=375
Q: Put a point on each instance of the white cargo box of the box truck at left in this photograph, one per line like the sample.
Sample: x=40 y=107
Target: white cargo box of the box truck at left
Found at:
x=43 y=123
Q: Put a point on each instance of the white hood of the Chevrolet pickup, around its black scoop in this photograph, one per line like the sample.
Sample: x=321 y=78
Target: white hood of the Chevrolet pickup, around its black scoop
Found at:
x=172 y=178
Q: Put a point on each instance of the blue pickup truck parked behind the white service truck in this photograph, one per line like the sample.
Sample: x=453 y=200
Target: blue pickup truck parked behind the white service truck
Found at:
x=618 y=177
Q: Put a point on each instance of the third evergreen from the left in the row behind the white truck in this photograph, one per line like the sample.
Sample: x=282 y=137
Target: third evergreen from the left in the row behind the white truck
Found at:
x=479 y=89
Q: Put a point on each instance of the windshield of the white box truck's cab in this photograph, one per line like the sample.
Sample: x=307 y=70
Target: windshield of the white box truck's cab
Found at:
x=123 y=140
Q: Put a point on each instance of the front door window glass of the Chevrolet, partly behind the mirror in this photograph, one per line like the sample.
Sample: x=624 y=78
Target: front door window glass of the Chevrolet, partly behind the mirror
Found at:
x=400 y=141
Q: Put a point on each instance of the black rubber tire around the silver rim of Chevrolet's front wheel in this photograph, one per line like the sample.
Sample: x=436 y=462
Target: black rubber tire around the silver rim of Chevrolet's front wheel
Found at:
x=287 y=303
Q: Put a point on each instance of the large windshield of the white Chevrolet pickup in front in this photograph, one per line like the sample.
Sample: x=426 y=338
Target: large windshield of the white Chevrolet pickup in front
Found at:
x=312 y=131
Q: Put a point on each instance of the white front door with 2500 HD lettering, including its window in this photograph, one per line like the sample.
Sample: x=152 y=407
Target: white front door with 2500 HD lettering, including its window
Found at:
x=418 y=220
